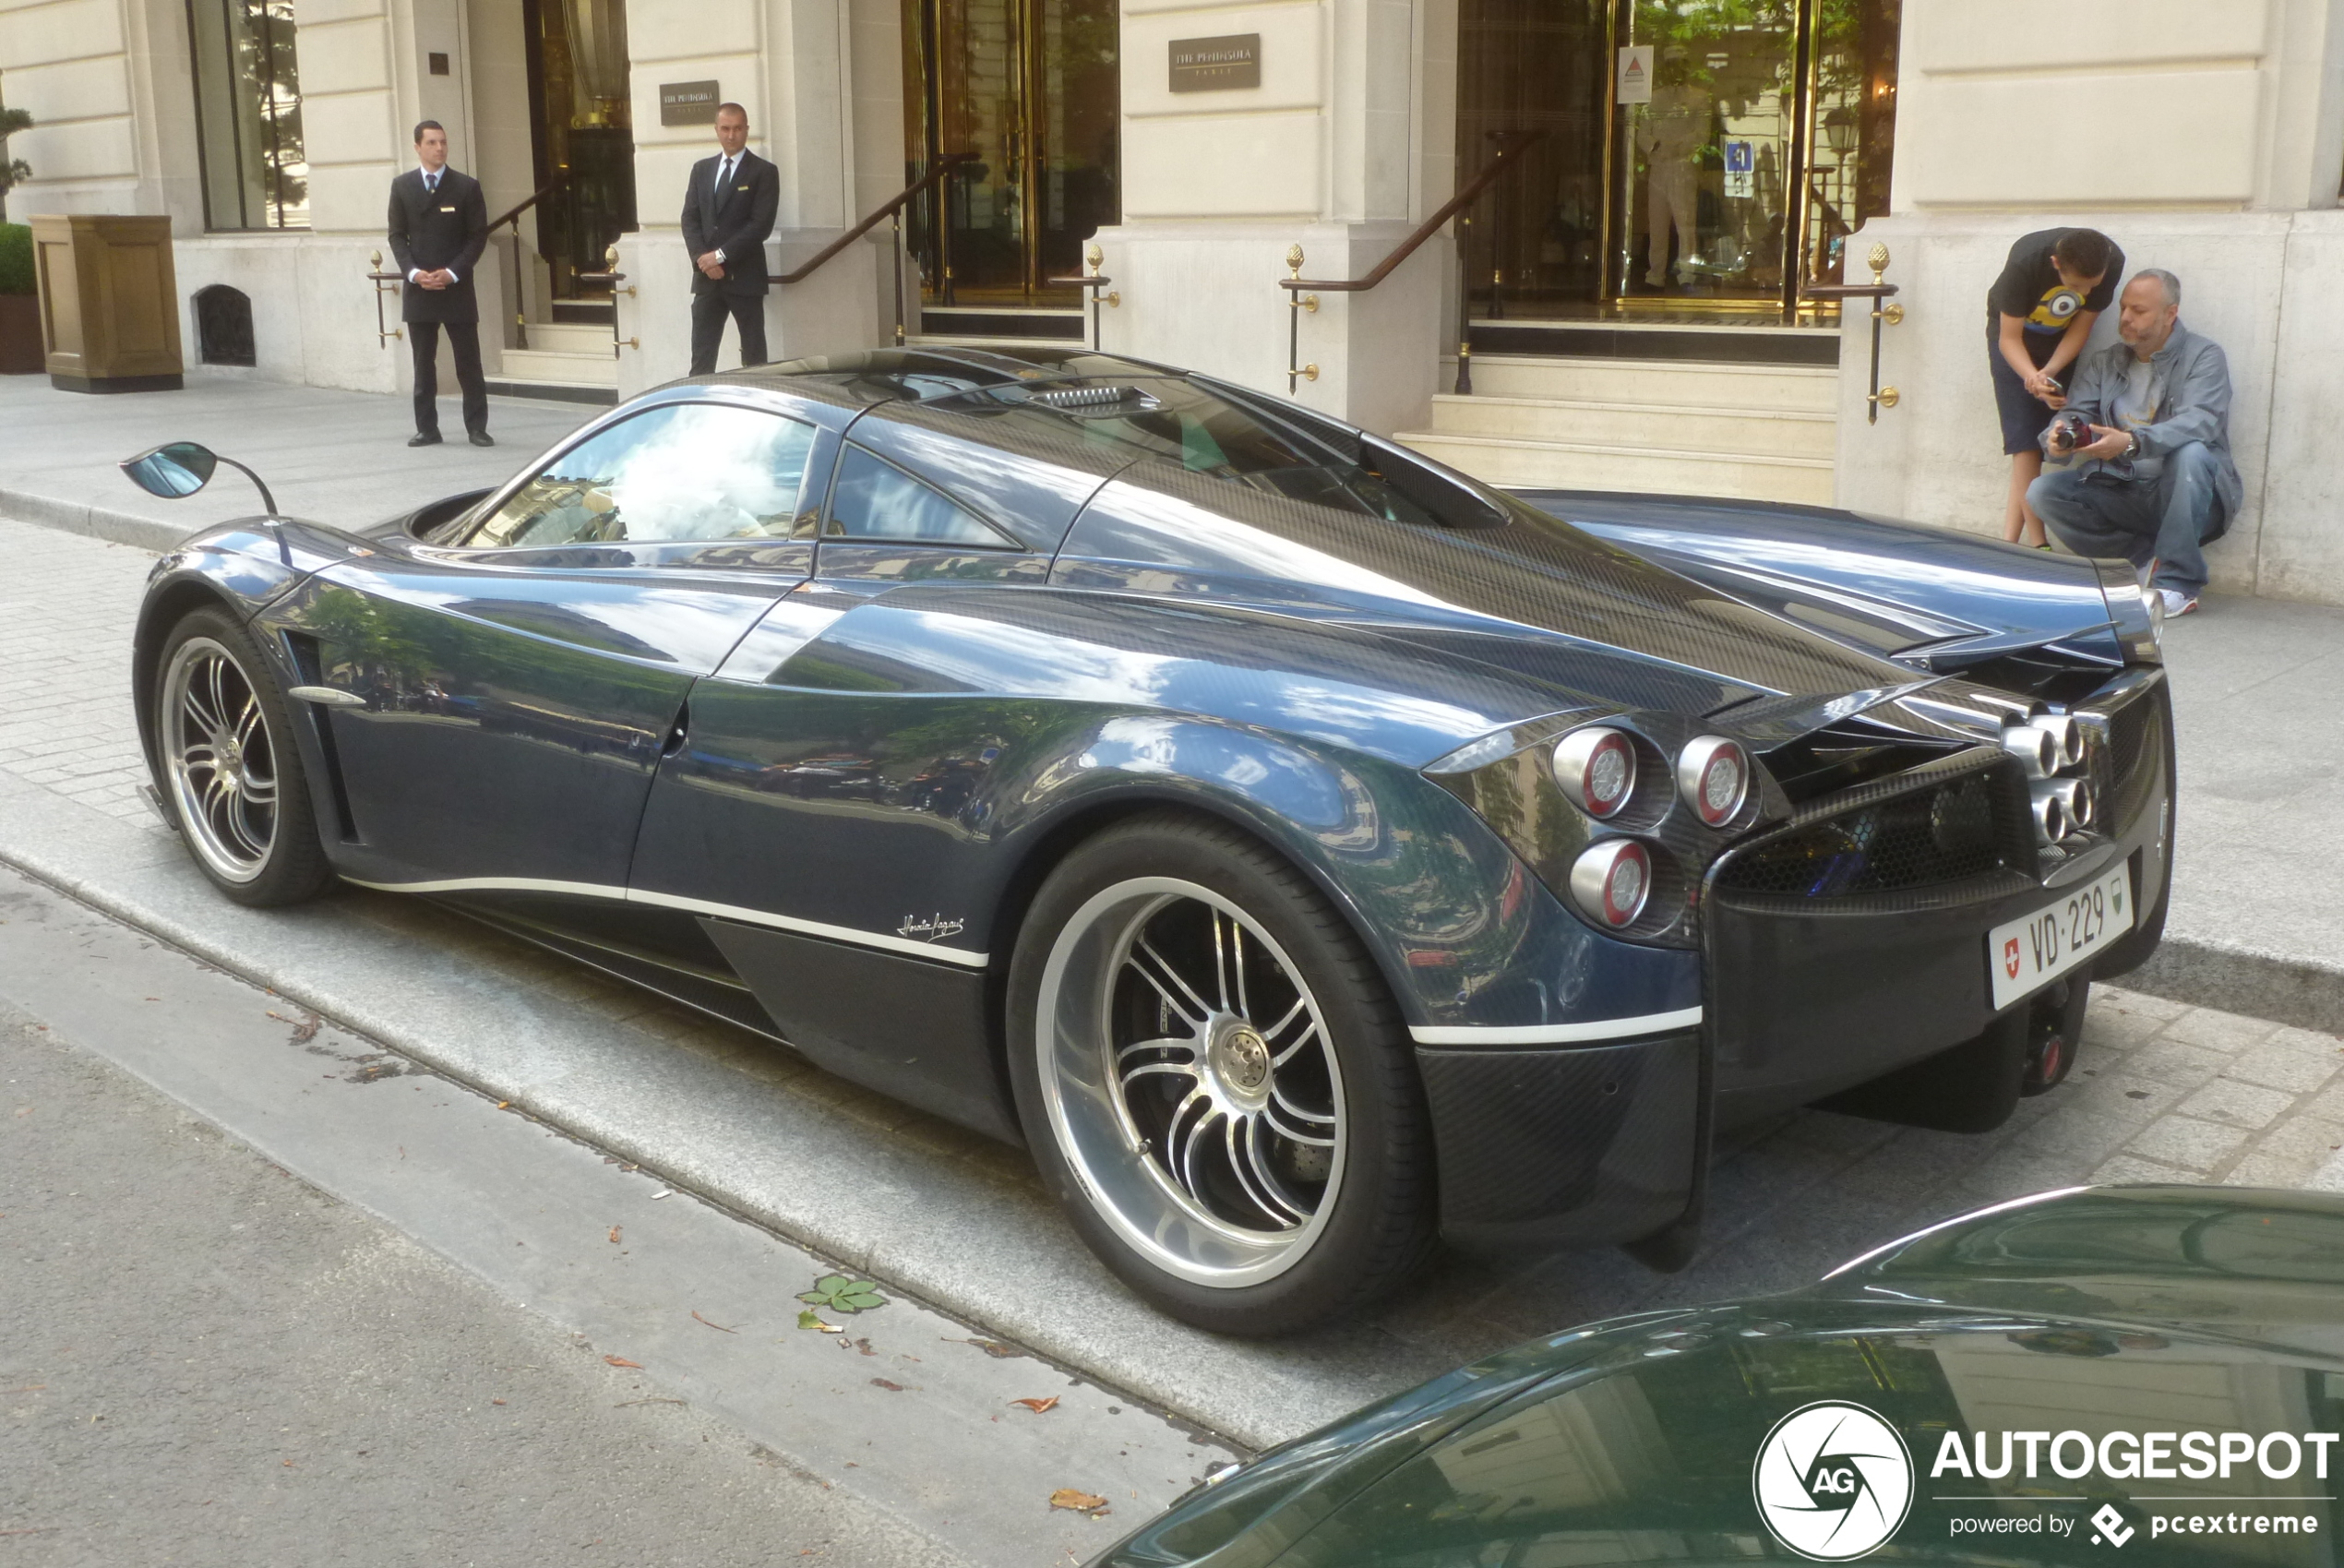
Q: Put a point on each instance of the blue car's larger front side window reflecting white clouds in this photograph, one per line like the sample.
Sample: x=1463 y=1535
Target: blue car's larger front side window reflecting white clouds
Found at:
x=674 y=472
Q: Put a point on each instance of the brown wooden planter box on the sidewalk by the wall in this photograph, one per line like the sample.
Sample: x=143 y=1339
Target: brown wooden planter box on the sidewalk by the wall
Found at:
x=109 y=304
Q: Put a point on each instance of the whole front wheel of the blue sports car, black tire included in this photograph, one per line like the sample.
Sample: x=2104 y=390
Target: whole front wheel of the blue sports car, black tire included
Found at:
x=212 y=777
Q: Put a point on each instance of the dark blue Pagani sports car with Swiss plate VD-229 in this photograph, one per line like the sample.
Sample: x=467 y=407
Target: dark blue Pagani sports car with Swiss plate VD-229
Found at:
x=1304 y=850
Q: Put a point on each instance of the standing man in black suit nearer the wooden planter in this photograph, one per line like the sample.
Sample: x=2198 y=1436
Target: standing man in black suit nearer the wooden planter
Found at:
x=439 y=229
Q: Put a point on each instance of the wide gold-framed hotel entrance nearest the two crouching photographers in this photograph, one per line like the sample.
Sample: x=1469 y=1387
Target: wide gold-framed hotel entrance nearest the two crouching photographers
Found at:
x=1701 y=161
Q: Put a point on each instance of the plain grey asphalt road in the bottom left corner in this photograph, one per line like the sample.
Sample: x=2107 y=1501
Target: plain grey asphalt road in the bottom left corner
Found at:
x=214 y=1363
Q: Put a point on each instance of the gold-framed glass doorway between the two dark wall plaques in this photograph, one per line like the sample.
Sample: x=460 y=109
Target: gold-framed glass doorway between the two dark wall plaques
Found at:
x=1028 y=88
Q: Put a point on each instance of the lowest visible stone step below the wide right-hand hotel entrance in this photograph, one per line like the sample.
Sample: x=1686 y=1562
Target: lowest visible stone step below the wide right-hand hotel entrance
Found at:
x=1574 y=465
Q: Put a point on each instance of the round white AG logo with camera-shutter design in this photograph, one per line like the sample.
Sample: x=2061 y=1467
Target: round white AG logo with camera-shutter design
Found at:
x=1832 y=1480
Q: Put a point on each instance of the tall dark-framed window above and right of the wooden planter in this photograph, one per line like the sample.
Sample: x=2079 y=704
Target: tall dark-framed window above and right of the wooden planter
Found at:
x=247 y=111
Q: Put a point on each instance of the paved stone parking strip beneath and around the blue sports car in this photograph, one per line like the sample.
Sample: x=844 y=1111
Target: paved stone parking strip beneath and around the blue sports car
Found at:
x=2162 y=1091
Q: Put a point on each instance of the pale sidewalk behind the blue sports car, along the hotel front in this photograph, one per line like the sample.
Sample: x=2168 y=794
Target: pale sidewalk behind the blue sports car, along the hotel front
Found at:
x=2258 y=686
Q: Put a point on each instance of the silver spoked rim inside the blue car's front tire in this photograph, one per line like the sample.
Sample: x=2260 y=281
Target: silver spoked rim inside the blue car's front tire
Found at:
x=222 y=761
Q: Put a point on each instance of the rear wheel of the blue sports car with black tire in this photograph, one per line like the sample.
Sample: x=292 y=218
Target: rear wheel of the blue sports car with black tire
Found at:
x=1372 y=1220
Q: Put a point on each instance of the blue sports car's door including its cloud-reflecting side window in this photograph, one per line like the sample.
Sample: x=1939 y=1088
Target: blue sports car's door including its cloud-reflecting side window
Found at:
x=503 y=702
